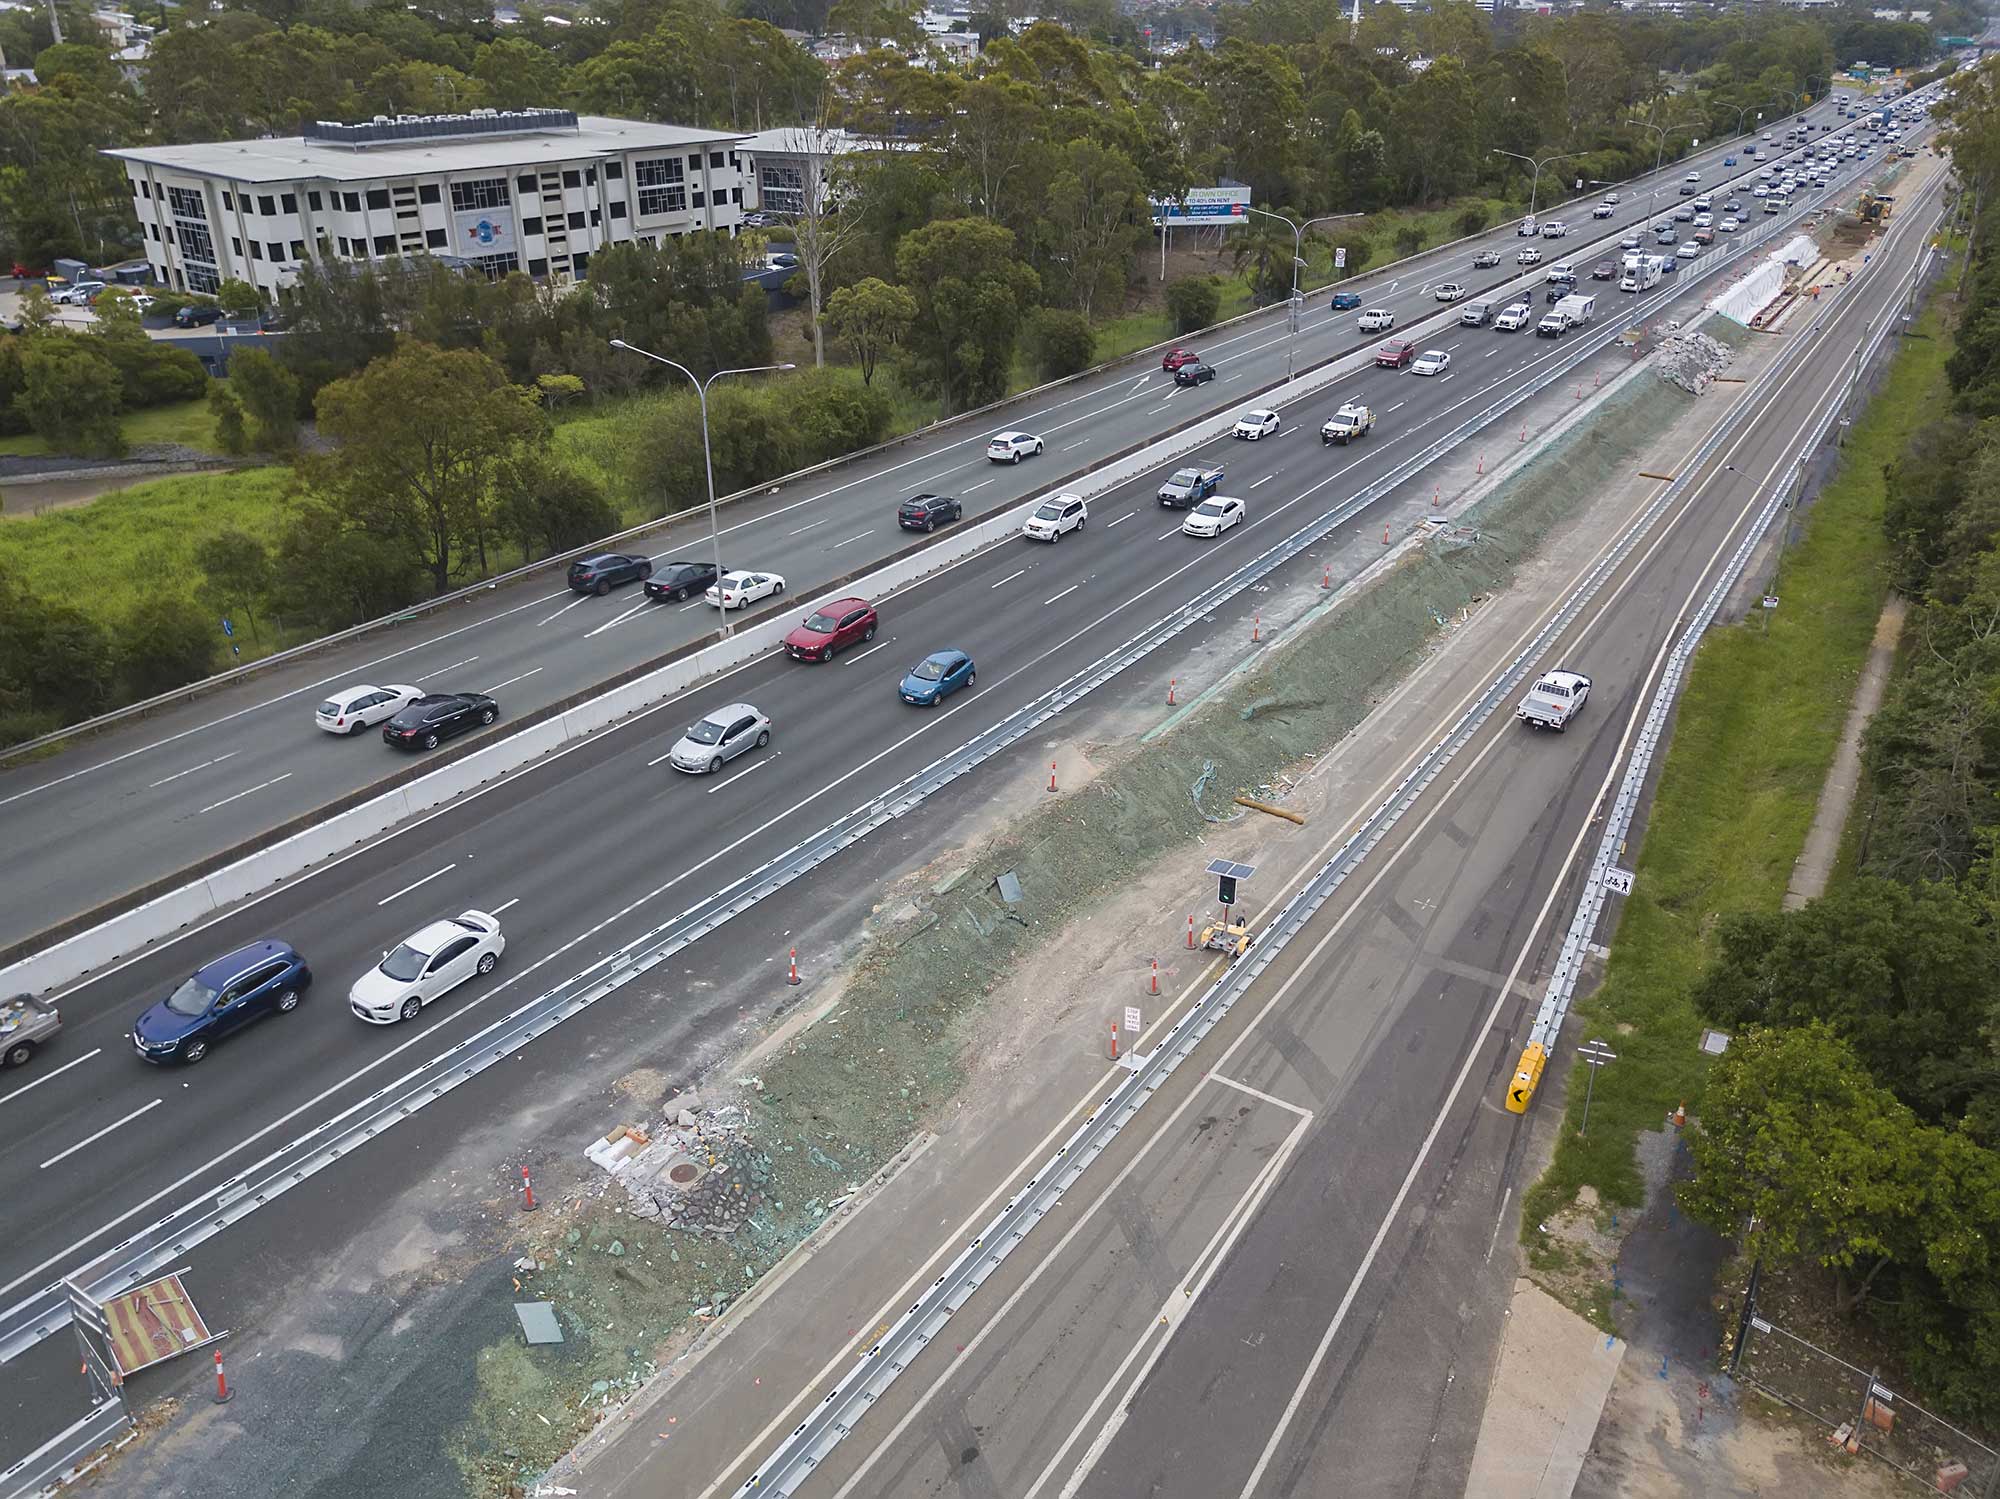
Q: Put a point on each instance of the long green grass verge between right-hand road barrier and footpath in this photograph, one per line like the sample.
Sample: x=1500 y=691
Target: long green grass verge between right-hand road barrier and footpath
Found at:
x=1753 y=741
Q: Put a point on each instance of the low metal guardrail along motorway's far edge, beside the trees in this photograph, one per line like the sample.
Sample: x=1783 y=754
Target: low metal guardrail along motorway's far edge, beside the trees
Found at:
x=561 y=561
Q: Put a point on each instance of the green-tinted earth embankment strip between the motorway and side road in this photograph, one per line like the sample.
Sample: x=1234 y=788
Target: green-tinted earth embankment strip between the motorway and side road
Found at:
x=851 y=1090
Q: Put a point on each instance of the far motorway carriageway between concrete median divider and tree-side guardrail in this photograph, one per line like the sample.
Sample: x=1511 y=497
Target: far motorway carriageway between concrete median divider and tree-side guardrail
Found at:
x=153 y=798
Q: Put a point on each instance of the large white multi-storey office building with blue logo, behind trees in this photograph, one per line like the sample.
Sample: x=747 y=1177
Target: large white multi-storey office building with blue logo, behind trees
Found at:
x=535 y=191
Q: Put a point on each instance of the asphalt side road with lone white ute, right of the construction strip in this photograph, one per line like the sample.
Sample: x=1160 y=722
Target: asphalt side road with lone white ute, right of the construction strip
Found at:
x=1279 y=1278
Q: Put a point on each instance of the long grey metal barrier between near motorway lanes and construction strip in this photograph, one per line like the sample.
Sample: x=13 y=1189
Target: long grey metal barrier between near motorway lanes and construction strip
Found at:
x=173 y=1236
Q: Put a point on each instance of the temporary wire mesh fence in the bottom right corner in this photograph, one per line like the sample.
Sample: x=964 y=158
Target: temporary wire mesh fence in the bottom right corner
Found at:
x=1879 y=1420
